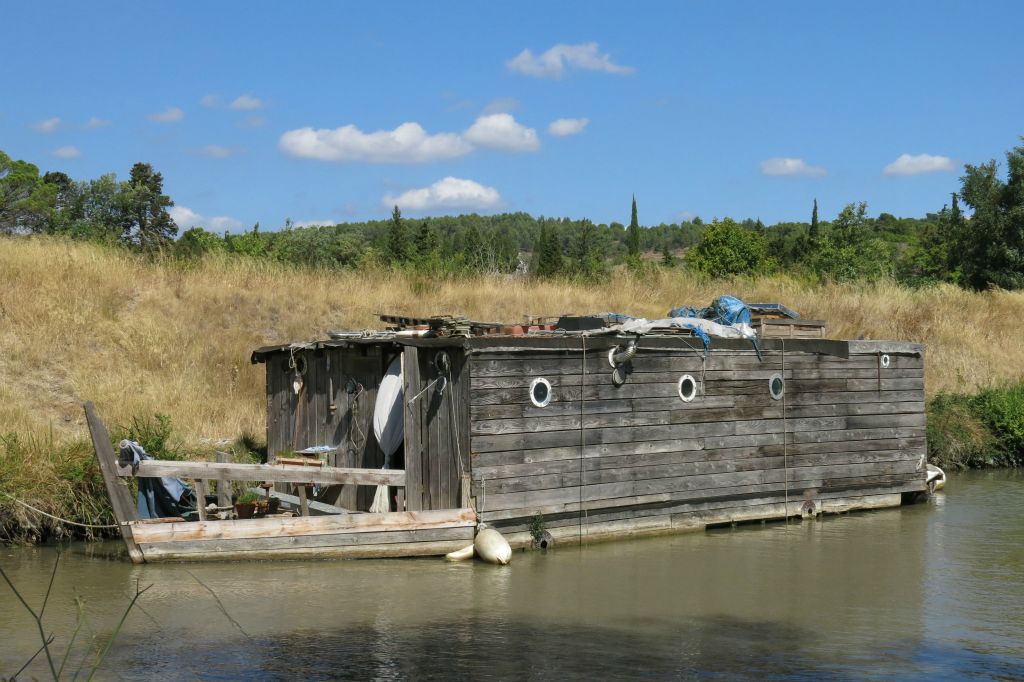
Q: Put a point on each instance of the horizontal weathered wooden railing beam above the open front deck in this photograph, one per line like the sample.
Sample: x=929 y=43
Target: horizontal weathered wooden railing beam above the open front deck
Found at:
x=270 y=473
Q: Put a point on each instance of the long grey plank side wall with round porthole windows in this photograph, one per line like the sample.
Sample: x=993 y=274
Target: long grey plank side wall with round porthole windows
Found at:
x=844 y=425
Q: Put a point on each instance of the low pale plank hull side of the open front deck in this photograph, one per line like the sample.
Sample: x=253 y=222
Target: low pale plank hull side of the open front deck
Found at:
x=355 y=536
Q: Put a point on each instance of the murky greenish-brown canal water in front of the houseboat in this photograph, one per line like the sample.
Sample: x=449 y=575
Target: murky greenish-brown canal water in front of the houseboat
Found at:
x=929 y=592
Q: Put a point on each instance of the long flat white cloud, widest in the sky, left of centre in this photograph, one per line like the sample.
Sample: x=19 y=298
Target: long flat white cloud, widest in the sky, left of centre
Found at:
x=409 y=144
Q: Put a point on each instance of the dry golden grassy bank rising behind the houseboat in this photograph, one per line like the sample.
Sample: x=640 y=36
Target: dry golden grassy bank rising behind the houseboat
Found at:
x=80 y=322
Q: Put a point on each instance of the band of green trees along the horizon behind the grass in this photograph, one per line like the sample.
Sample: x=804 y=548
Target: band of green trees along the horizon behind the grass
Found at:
x=984 y=249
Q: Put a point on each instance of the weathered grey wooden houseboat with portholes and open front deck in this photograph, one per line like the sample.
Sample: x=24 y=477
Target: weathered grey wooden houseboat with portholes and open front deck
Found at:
x=591 y=434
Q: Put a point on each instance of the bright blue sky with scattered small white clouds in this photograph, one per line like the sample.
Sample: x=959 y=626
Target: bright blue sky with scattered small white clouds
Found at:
x=331 y=112
